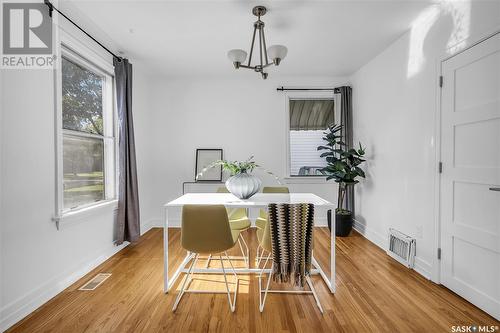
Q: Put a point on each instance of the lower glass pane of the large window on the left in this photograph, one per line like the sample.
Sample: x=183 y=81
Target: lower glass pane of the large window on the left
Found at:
x=83 y=165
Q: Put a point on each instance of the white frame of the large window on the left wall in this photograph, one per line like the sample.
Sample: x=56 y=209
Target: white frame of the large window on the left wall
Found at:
x=77 y=52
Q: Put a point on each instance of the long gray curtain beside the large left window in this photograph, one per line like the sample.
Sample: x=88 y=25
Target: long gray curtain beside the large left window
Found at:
x=128 y=223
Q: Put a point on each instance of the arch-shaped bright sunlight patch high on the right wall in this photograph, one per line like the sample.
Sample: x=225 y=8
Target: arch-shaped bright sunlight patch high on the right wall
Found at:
x=460 y=12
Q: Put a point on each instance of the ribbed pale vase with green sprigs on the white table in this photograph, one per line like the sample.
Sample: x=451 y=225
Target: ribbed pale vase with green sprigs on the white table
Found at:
x=241 y=182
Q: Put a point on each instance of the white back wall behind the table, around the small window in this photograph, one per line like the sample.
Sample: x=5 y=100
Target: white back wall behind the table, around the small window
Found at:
x=244 y=115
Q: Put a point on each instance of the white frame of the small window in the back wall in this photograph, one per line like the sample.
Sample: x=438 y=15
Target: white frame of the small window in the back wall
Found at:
x=305 y=95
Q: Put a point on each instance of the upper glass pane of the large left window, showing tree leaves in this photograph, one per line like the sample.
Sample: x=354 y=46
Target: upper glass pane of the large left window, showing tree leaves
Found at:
x=81 y=98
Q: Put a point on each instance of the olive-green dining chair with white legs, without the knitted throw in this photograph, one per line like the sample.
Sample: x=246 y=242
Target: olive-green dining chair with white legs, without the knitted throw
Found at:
x=205 y=230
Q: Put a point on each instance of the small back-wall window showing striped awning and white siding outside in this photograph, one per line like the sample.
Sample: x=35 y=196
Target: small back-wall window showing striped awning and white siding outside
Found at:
x=308 y=119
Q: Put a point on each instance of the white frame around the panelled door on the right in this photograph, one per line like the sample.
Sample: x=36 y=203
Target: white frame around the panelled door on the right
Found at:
x=475 y=40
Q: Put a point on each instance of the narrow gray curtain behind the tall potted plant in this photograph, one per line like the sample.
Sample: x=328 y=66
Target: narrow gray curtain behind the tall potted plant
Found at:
x=347 y=136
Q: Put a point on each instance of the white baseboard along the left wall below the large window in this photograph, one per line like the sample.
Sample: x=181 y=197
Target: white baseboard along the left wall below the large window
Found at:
x=17 y=310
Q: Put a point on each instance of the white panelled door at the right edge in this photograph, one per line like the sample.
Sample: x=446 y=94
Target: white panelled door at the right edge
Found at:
x=470 y=182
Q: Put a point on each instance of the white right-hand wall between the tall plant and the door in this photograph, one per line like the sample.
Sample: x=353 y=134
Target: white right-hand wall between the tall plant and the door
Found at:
x=395 y=108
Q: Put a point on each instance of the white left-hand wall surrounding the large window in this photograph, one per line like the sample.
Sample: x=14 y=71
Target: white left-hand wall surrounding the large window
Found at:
x=37 y=261
